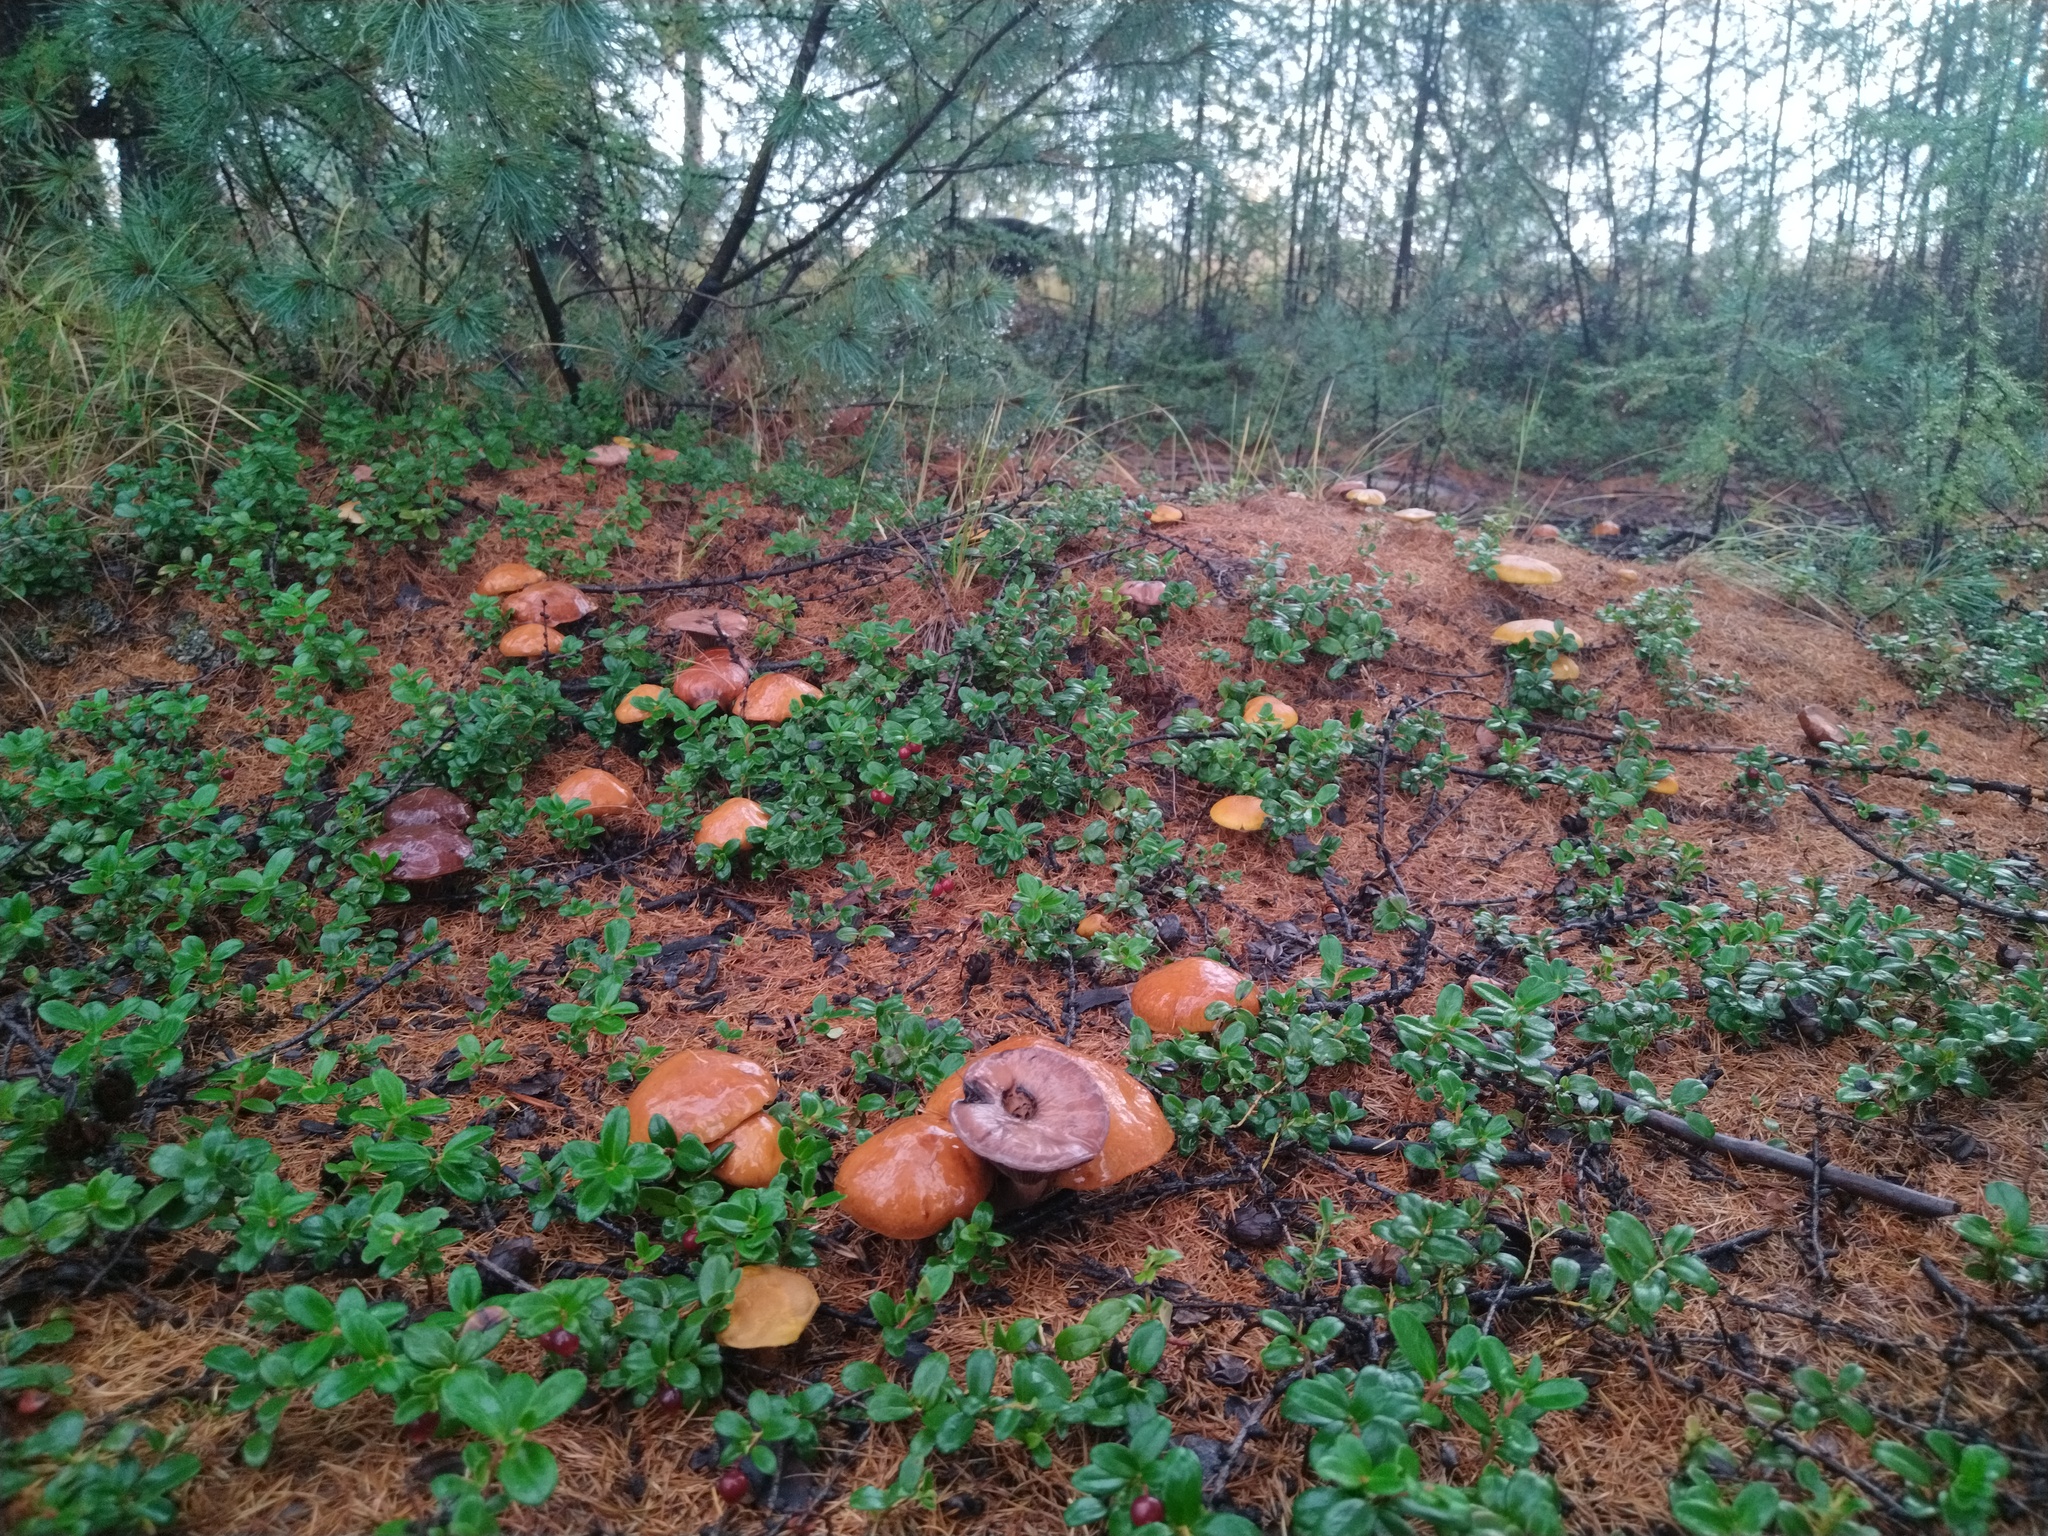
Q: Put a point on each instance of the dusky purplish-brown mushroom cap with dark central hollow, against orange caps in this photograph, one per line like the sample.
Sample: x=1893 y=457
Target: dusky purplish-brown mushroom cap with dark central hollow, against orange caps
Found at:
x=1031 y=1111
